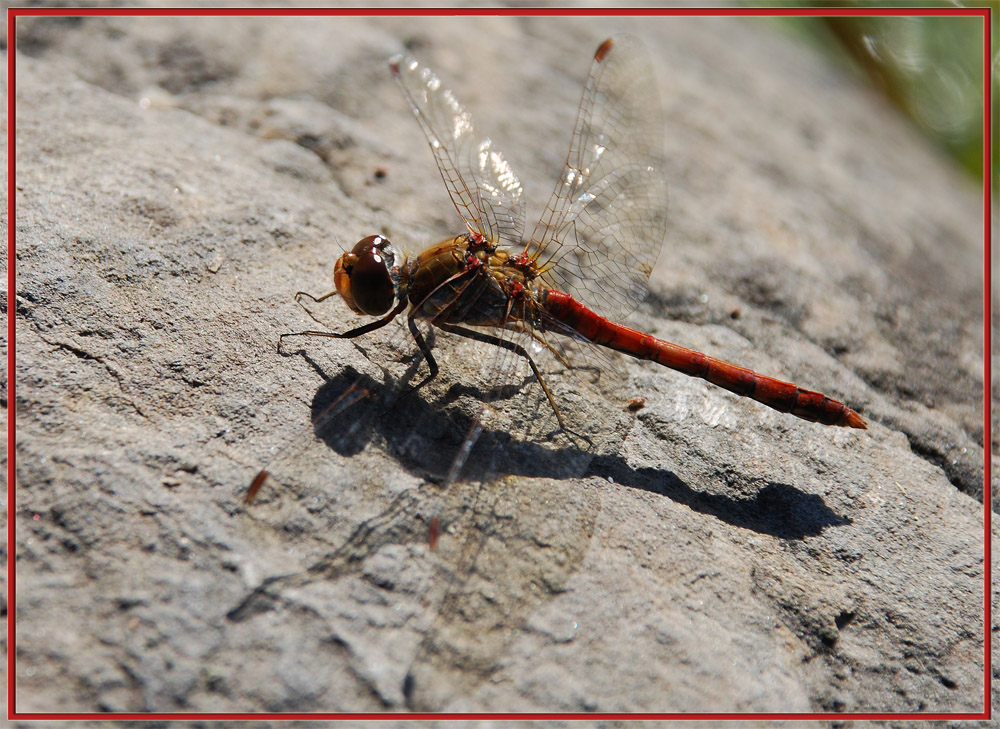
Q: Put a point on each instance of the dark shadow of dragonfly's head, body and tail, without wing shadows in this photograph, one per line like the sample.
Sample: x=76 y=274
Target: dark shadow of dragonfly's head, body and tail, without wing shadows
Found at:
x=423 y=437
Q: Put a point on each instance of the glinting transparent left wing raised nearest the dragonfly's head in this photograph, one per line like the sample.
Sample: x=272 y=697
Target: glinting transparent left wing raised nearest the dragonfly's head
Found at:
x=482 y=185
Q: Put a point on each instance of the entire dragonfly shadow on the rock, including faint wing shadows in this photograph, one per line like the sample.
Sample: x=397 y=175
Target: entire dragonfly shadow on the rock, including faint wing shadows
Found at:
x=518 y=521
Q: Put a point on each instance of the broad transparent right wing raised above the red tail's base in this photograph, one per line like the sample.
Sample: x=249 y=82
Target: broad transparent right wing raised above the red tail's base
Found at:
x=604 y=224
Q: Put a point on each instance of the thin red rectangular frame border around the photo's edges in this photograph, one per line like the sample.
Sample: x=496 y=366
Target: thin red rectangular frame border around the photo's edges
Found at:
x=13 y=13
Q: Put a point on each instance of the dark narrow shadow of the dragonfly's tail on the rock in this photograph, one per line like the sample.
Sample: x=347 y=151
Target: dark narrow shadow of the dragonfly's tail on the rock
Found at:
x=778 y=509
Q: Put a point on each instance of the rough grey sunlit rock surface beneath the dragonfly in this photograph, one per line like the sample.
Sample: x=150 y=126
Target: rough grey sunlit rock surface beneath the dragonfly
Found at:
x=178 y=180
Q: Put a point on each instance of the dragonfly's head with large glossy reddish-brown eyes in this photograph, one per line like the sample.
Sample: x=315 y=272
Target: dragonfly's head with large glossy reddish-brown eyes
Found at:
x=367 y=276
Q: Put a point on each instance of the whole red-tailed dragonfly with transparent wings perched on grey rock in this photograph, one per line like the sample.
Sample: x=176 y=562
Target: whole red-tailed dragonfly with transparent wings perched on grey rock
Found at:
x=586 y=264
